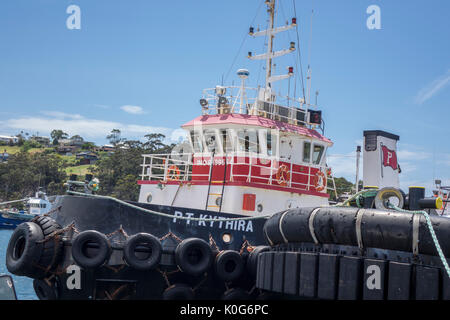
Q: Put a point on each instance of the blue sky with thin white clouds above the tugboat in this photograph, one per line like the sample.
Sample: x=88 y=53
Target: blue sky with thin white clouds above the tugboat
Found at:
x=141 y=66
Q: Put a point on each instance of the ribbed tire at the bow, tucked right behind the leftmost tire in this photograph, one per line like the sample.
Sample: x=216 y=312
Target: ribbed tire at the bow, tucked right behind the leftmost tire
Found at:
x=52 y=250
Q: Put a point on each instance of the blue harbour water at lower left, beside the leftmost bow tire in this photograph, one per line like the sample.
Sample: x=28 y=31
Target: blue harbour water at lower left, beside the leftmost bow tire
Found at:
x=23 y=285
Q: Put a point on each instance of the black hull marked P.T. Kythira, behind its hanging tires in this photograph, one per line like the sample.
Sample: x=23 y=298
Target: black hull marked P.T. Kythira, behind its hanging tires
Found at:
x=118 y=221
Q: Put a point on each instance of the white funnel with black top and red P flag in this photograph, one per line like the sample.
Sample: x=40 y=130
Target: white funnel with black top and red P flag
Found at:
x=380 y=163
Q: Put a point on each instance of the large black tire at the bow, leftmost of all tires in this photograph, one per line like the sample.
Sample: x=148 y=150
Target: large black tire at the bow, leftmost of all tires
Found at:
x=24 y=250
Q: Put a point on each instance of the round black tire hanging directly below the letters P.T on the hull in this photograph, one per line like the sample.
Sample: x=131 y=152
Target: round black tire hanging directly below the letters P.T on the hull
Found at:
x=185 y=249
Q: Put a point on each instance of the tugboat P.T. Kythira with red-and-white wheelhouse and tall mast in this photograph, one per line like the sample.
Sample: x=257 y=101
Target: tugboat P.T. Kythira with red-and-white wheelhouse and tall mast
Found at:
x=201 y=209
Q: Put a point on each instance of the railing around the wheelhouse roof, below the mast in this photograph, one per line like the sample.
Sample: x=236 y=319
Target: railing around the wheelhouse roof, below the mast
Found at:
x=245 y=100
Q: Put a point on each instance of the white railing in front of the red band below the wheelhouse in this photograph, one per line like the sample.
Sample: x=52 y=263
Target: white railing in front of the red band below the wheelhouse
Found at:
x=239 y=168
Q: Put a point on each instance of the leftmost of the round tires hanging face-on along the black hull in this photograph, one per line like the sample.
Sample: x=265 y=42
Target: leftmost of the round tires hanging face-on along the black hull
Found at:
x=104 y=250
